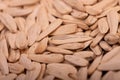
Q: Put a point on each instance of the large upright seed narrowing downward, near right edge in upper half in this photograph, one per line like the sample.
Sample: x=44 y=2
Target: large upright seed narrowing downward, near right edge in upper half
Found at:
x=113 y=21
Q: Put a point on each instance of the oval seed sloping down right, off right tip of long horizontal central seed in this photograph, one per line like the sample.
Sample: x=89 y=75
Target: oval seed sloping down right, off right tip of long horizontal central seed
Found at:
x=76 y=60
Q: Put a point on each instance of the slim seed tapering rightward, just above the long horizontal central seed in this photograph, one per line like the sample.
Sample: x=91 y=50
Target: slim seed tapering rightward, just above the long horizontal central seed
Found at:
x=56 y=49
